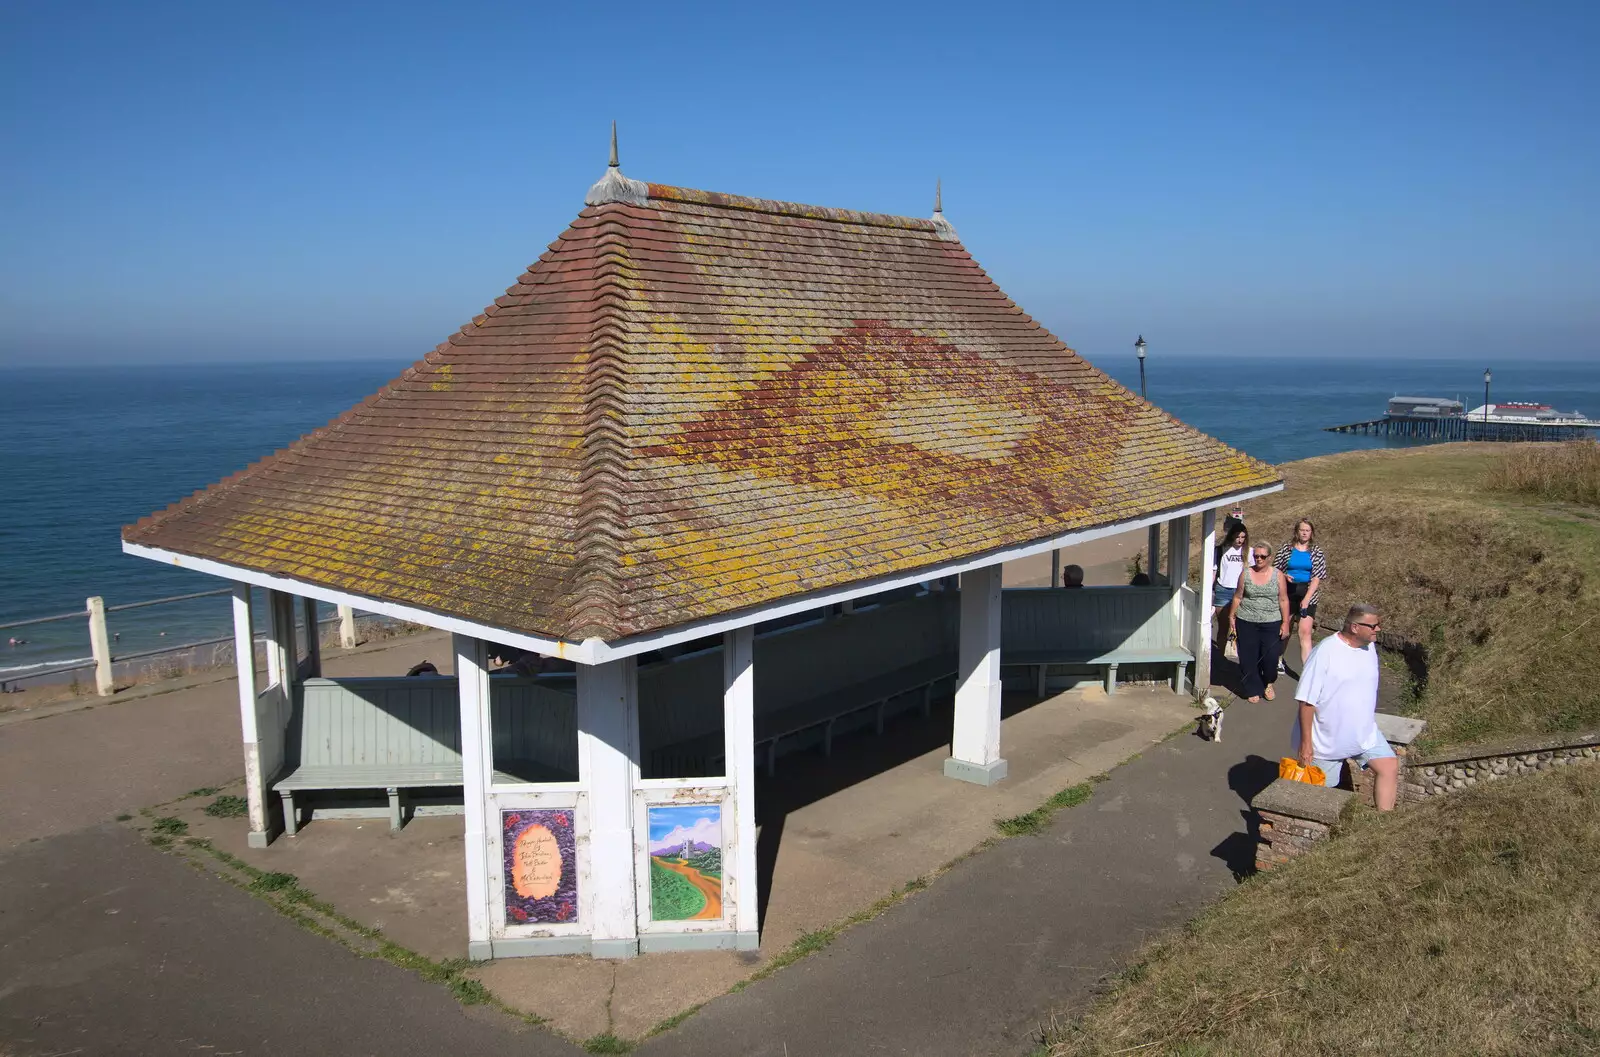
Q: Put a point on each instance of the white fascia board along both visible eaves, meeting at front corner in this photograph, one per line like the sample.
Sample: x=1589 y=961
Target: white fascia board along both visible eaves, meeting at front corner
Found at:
x=599 y=652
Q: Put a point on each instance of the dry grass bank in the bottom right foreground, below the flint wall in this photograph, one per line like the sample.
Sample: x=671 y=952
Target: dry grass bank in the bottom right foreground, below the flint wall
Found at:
x=1465 y=925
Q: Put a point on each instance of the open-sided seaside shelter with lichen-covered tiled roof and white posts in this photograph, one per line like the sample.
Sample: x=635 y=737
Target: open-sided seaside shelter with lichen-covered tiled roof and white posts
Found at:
x=694 y=415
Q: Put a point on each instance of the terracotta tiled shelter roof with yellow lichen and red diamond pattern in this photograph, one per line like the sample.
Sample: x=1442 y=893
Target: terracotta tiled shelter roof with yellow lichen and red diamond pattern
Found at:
x=700 y=405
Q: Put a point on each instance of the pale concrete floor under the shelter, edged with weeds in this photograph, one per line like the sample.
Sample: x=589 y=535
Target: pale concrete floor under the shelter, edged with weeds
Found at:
x=834 y=837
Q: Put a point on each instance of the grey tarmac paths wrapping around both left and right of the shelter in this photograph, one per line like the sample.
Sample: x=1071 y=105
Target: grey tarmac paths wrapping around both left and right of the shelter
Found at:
x=110 y=946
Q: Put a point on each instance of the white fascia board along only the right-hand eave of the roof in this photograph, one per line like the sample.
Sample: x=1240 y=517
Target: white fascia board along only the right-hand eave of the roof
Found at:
x=801 y=604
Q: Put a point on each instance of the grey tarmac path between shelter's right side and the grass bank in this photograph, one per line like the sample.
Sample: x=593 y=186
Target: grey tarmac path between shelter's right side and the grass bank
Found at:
x=1026 y=930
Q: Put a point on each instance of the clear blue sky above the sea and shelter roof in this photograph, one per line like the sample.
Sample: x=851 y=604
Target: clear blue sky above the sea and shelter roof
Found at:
x=214 y=181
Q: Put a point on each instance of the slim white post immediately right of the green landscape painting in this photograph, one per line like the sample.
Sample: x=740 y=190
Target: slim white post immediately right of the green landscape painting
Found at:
x=738 y=709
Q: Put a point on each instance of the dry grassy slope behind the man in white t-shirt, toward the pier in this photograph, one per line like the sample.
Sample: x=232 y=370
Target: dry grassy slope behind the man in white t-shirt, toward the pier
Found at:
x=1502 y=591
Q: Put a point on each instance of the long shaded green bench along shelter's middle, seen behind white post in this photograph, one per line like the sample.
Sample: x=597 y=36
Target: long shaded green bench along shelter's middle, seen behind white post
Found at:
x=809 y=679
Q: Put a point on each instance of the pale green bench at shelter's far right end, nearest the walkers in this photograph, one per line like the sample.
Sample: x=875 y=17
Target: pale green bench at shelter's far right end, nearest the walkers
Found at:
x=1102 y=628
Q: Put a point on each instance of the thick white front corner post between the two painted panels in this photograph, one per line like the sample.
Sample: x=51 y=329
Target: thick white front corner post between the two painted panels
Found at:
x=609 y=760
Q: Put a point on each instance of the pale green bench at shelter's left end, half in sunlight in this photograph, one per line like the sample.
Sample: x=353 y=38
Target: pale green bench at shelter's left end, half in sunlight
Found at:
x=398 y=735
